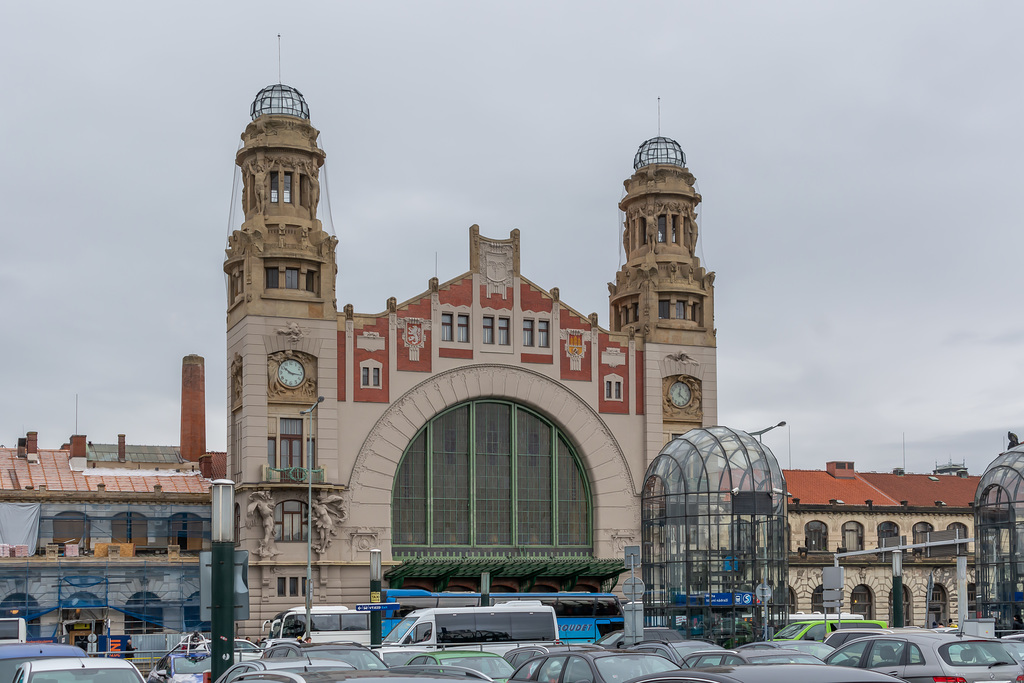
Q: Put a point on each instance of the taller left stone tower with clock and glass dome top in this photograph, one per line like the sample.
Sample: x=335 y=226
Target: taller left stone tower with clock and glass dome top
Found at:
x=282 y=327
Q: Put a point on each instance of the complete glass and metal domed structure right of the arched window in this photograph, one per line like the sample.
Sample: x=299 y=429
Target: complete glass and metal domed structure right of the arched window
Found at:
x=714 y=526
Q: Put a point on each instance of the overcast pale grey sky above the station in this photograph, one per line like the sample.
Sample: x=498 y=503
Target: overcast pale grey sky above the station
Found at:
x=860 y=162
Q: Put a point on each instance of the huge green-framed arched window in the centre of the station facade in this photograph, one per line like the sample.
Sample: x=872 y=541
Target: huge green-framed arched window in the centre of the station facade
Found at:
x=491 y=474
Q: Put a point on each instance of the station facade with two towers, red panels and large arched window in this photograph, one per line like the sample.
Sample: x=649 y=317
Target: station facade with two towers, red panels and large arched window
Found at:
x=483 y=424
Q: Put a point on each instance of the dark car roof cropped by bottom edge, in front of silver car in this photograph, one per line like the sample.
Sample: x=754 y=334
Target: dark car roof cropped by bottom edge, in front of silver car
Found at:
x=784 y=673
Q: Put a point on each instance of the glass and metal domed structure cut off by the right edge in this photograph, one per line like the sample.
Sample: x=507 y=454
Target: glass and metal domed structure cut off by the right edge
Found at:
x=1000 y=538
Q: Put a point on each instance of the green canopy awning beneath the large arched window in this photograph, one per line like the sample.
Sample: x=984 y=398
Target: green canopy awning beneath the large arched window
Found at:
x=568 y=571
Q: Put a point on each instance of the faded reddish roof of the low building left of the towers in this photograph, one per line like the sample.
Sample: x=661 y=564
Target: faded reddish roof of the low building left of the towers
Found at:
x=54 y=472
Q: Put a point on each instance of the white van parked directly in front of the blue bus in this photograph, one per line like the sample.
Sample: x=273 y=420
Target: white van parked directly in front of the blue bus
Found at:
x=497 y=629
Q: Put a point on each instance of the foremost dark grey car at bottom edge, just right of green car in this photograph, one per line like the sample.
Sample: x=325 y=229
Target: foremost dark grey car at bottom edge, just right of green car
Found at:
x=607 y=667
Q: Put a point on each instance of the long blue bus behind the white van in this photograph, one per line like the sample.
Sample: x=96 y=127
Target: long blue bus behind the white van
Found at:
x=583 y=618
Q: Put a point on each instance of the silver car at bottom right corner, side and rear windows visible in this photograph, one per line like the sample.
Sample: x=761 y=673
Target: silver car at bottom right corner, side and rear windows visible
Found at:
x=932 y=658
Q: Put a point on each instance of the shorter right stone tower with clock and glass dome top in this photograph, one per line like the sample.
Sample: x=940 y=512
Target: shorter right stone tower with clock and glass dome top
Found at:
x=663 y=294
